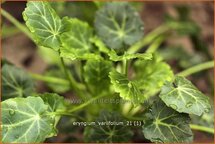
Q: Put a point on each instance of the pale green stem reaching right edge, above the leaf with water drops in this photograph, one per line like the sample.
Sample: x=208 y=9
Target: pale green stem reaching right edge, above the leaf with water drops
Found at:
x=197 y=68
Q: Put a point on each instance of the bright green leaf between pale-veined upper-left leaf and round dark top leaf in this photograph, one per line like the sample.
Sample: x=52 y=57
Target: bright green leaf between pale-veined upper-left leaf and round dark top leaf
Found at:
x=76 y=42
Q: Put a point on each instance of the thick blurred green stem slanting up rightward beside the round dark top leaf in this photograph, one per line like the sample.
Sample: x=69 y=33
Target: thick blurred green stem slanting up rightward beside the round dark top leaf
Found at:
x=148 y=39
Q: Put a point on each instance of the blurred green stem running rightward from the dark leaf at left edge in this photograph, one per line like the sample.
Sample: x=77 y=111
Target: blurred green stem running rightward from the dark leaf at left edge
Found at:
x=49 y=79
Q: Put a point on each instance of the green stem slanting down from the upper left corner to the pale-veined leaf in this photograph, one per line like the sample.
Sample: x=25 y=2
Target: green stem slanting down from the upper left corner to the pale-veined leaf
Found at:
x=16 y=23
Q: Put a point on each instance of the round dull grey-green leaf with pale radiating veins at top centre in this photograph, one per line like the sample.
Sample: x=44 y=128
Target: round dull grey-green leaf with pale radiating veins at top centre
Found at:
x=118 y=25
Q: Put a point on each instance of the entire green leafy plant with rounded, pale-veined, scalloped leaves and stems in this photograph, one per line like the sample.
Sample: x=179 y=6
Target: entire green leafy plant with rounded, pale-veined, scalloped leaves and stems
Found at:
x=103 y=62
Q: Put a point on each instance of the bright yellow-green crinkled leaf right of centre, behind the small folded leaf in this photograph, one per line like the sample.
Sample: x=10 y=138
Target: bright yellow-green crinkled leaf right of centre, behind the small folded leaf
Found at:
x=151 y=75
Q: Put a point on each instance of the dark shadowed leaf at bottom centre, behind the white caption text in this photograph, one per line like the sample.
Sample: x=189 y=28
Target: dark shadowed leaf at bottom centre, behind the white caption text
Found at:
x=108 y=133
